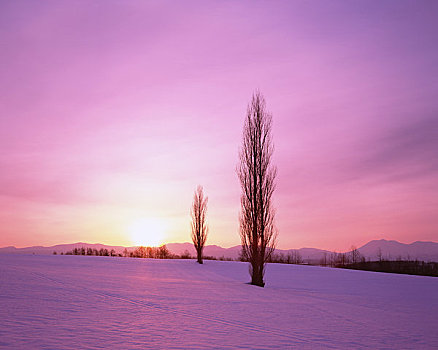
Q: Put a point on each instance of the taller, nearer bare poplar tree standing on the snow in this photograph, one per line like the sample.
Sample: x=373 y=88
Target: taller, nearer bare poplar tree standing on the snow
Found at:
x=257 y=179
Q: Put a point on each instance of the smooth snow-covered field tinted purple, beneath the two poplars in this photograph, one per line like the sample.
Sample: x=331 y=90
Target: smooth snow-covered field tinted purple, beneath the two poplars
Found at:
x=70 y=302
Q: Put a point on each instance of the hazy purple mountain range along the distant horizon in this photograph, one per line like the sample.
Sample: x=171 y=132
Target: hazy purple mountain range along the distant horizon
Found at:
x=427 y=251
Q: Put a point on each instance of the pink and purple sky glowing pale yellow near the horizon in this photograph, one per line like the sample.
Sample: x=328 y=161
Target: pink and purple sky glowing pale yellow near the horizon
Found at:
x=112 y=112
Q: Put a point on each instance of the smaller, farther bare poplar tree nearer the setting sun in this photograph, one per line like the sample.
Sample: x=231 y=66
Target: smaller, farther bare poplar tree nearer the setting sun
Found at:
x=199 y=225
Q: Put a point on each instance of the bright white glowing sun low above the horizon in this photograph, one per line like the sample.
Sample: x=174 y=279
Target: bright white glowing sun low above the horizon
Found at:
x=149 y=232
